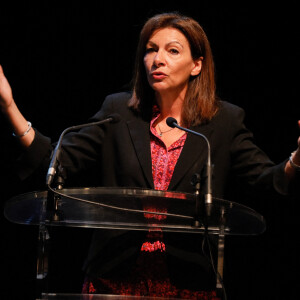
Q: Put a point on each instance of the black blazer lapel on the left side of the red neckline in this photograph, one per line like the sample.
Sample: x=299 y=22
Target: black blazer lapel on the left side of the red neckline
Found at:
x=139 y=132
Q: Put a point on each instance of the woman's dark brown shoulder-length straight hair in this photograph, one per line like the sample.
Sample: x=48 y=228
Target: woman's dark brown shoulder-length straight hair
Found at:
x=200 y=103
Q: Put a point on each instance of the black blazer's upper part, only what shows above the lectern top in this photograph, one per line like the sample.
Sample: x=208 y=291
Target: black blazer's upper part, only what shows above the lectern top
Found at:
x=119 y=154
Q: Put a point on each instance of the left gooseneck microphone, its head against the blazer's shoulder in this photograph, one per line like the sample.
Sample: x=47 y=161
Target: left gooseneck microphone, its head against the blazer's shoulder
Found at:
x=113 y=118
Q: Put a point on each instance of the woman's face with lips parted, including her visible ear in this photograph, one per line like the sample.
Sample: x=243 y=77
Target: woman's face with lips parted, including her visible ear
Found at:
x=168 y=61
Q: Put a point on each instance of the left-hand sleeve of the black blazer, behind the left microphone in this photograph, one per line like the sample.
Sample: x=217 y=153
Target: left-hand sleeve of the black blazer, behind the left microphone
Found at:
x=81 y=149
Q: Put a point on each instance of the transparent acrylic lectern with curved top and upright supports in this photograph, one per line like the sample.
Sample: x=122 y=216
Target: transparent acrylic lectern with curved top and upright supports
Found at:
x=129 y=209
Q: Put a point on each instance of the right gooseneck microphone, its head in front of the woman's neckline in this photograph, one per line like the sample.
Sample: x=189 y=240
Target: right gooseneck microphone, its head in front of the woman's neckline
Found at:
x=171 y=122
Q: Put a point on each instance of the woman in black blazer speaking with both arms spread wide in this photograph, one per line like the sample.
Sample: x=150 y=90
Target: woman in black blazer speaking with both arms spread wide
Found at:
x=174 y=77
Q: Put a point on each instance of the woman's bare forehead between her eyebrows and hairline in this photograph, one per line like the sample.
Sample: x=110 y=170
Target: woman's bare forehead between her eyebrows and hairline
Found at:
x=167 y=35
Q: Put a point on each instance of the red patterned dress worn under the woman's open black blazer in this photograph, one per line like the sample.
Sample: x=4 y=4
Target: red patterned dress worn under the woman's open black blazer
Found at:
x=150 y=274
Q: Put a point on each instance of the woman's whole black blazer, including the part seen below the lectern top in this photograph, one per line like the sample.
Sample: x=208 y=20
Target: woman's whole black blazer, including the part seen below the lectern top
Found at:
x=119 y=155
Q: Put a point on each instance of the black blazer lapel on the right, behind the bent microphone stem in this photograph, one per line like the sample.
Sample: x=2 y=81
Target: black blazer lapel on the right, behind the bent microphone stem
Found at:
x=194 y=149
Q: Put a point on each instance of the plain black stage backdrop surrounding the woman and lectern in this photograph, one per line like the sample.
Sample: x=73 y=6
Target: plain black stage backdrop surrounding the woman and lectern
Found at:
x=63 y=57
